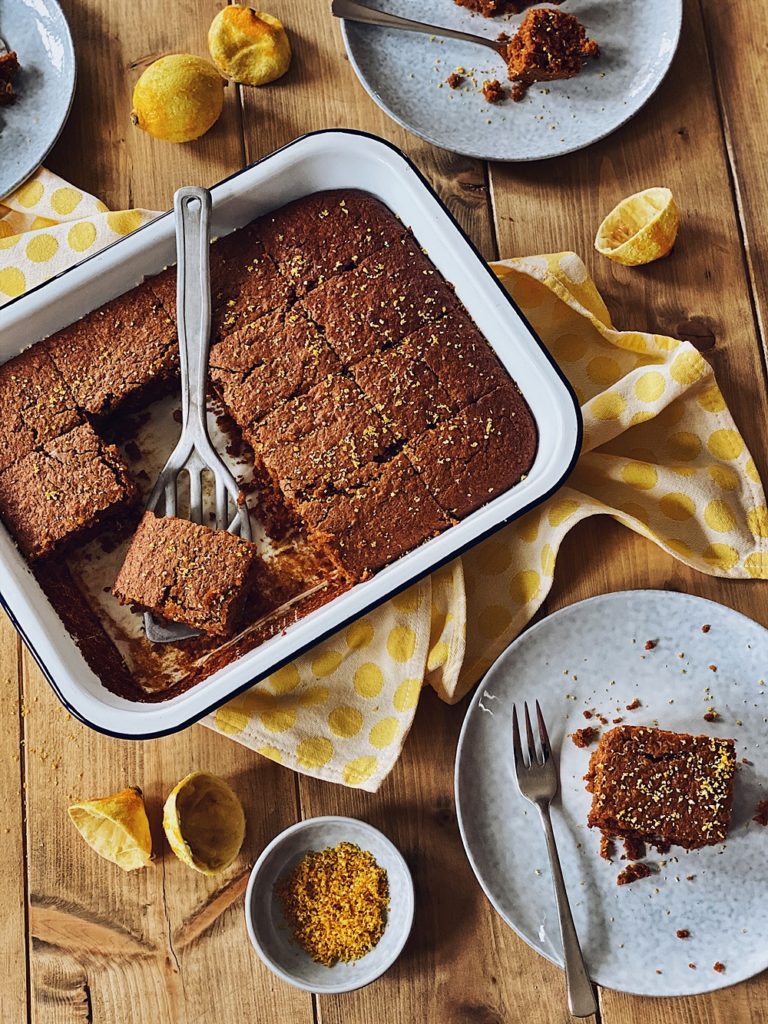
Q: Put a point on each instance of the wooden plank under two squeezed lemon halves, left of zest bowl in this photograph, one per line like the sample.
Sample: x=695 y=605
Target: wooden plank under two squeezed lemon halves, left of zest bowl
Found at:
x=161 y=945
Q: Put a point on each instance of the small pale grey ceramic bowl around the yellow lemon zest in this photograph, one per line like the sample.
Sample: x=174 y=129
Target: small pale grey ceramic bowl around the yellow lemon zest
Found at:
x=271 y=934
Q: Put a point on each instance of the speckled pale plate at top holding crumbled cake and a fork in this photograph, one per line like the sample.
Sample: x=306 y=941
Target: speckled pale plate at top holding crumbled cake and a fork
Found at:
x=406 y=74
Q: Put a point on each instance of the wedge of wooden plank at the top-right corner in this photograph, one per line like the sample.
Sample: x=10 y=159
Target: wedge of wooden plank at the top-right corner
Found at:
x=737 y=34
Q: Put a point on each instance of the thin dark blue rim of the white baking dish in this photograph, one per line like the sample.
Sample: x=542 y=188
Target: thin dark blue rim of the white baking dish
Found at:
x=216 y=705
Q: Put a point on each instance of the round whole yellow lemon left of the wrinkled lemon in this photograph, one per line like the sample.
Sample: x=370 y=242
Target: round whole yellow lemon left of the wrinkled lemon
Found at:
x=179 y=98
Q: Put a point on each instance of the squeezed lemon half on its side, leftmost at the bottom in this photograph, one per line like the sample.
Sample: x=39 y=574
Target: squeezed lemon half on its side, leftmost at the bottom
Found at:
x=116 y=828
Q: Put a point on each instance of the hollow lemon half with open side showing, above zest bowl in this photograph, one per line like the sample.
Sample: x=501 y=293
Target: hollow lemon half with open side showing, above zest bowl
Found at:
x=204 y=822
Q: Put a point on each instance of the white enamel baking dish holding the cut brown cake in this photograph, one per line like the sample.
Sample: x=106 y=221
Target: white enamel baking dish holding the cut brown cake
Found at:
x=323 y=160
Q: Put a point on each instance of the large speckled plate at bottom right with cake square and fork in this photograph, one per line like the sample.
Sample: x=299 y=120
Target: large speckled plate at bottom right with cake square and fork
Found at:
x=592 y=656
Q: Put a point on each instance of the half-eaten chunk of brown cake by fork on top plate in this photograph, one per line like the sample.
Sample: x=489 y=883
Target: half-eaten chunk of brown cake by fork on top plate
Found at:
x=549 y=46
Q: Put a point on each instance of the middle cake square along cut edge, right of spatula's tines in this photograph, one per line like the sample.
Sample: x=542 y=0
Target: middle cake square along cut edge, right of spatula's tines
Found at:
x=321 y=441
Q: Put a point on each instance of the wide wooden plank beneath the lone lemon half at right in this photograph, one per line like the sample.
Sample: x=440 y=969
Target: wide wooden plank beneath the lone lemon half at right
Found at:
x=701 y=291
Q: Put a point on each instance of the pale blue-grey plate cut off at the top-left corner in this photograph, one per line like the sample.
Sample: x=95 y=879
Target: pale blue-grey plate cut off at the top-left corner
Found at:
x=46 y=87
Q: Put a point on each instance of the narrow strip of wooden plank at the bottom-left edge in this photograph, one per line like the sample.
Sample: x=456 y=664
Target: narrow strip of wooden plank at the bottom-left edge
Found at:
x=14 y=967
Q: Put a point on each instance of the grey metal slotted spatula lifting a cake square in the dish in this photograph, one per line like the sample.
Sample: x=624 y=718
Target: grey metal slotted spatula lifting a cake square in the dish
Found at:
x=194 y=452
